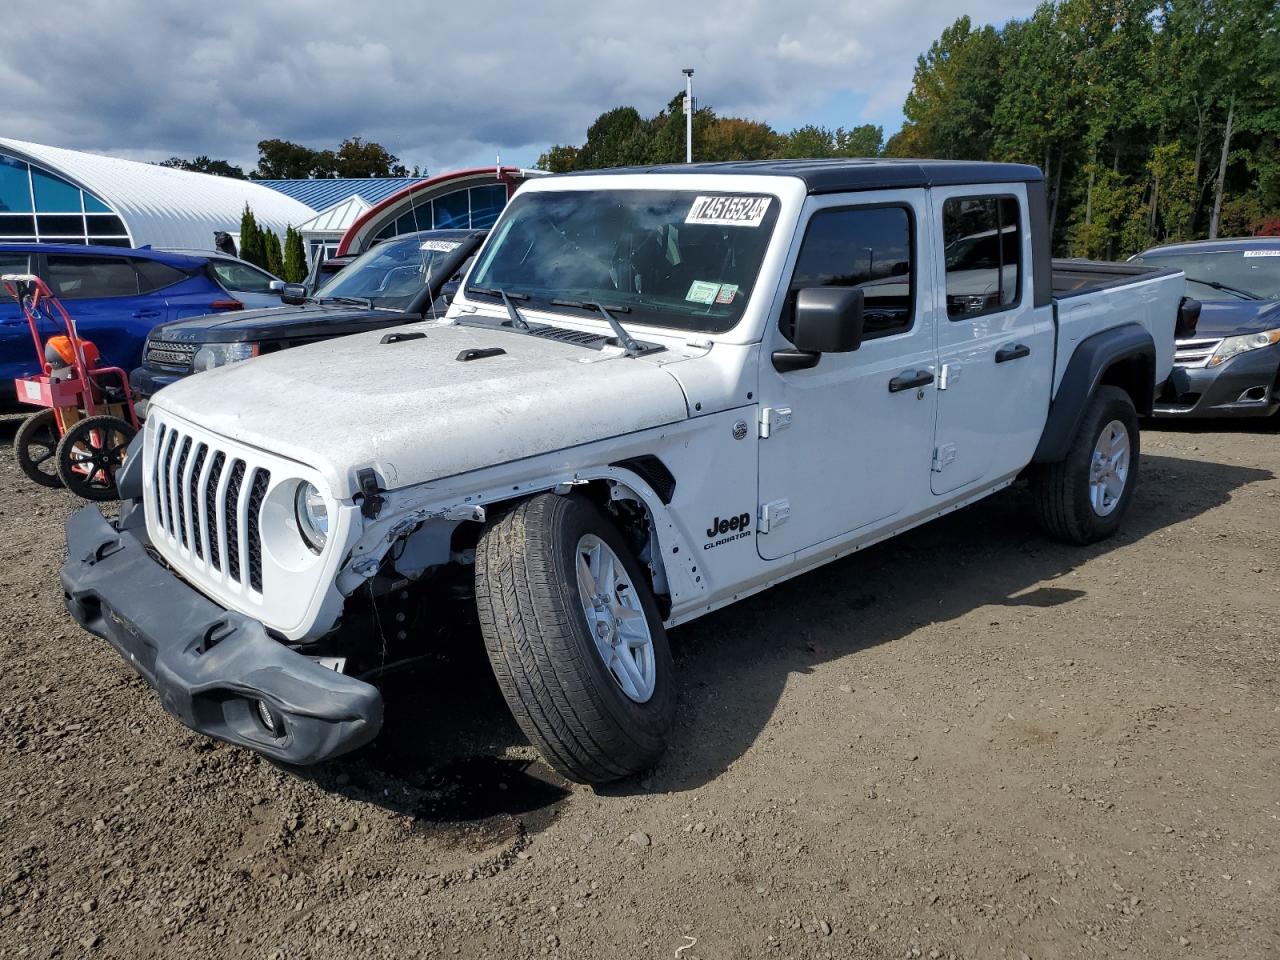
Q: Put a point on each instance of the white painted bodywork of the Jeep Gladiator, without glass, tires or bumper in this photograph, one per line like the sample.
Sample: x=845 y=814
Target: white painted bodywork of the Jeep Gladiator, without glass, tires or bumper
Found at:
x=839 y=460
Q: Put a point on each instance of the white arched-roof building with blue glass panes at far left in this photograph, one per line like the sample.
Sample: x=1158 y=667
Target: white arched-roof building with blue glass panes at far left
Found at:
x=66 y=196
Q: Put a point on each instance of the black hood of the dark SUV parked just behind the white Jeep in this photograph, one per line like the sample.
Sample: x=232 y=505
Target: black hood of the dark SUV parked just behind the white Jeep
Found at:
x=304 y=321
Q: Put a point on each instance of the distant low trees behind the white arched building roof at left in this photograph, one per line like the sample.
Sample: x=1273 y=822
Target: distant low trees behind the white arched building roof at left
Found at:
x=285 y=161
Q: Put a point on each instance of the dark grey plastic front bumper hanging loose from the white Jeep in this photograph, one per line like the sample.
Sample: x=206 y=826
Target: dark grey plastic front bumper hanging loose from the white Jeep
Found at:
x=211 y=666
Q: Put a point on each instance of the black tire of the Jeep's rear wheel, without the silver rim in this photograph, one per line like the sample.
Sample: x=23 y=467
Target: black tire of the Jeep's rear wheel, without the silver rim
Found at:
x=1062 y=491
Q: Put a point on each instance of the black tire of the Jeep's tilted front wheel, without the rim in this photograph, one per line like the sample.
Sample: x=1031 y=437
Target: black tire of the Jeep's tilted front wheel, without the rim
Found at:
x=564 y=697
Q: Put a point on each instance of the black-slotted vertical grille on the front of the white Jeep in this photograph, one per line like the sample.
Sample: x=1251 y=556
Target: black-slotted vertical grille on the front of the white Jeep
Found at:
x=209 y=502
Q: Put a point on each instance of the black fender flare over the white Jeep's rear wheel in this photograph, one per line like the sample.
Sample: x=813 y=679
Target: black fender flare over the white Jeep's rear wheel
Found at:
x=1089 y=365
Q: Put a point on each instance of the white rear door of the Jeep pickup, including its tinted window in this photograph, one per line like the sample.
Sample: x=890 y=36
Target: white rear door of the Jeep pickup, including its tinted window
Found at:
x=995 y=346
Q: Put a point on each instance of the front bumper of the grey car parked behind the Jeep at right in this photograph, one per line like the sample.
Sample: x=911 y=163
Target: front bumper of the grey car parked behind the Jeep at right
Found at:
x=1242 y=387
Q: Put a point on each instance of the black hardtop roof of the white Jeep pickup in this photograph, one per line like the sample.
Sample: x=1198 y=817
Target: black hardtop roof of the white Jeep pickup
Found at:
x=842 y=175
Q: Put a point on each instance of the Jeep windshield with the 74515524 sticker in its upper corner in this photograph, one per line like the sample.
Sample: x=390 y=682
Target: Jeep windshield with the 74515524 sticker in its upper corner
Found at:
x=661 y=258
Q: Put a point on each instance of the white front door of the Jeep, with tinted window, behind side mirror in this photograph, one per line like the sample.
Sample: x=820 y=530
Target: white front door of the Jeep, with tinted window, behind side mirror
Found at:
x=849 y=444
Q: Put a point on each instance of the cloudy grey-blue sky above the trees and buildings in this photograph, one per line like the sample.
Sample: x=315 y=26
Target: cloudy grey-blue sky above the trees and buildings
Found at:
x=444 y=85
